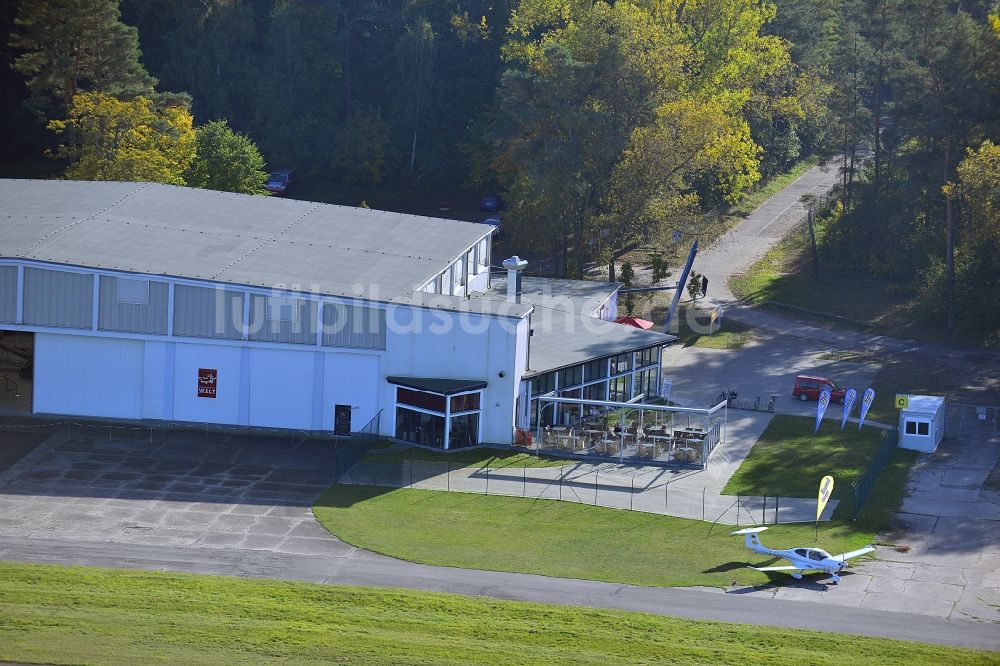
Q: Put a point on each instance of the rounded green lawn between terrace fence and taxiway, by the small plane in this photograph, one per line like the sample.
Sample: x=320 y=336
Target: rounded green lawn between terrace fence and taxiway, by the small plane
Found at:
x=555 y=538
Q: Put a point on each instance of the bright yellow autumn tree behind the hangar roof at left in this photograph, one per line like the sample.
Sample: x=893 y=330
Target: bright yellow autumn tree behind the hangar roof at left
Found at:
x=126 y=140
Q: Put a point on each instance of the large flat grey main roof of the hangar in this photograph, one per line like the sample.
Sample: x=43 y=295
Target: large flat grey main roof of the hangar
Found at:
x=236 y=238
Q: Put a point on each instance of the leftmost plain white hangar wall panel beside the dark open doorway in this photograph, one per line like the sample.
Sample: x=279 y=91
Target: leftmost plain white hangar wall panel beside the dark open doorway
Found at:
x=88 y=376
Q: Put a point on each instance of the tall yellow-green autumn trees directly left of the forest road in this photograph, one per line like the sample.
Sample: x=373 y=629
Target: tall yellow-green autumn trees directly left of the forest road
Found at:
x=615 y=119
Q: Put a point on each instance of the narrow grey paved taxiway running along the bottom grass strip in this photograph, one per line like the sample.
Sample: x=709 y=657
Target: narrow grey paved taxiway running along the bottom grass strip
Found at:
x=358 y=567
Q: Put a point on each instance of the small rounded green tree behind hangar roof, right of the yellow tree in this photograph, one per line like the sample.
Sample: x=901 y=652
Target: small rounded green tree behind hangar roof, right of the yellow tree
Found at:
x=226 y=161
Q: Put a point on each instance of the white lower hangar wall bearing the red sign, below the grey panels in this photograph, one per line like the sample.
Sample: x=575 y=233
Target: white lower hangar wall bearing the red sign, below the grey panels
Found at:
x=257 y=385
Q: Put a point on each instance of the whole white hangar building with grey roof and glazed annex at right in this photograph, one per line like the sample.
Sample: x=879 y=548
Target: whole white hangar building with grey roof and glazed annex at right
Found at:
x=160 y=303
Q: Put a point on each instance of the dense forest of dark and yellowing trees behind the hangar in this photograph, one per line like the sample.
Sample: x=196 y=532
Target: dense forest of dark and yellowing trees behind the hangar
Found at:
x=604 y=124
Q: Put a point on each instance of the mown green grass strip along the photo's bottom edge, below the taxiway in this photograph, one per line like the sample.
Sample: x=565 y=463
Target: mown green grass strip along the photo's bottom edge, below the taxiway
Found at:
x=76 y=615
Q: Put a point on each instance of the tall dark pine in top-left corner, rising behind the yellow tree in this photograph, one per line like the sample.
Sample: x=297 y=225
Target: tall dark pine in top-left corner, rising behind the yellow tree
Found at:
x=76 y=46
